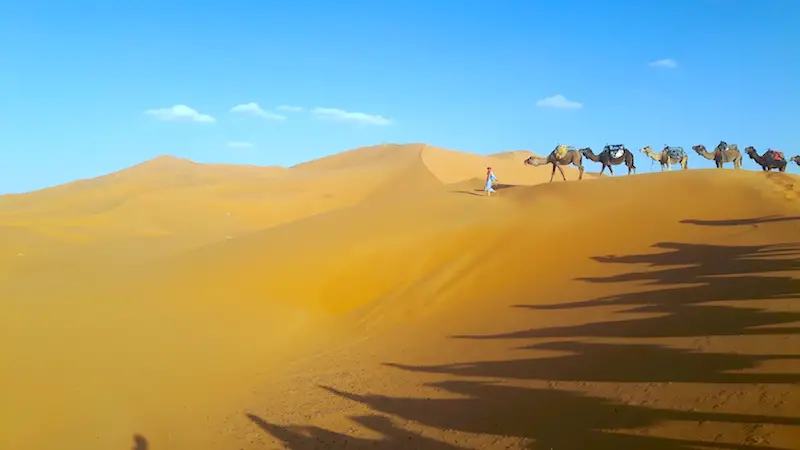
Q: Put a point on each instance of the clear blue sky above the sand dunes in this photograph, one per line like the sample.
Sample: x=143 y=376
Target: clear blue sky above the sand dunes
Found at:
x=77 y=76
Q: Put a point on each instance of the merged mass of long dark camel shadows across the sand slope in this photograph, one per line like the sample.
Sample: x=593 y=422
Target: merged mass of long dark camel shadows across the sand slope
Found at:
x=687 y=276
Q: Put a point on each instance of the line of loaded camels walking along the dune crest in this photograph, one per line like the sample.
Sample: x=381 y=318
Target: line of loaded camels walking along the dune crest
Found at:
x=613 y=155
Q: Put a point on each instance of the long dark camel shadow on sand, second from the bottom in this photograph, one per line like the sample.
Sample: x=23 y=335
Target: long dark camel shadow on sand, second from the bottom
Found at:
x=548 y=418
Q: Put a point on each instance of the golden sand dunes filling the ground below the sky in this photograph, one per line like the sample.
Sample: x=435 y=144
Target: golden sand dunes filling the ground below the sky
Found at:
x=376 y=299
